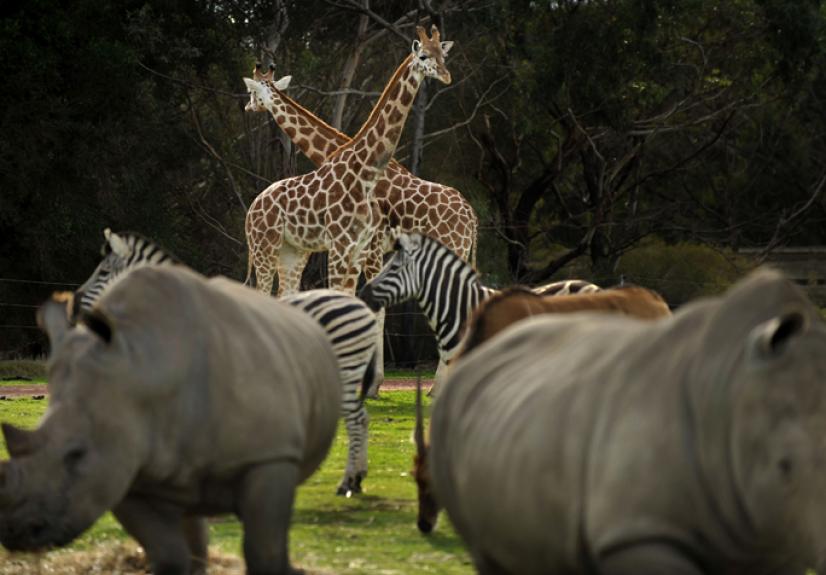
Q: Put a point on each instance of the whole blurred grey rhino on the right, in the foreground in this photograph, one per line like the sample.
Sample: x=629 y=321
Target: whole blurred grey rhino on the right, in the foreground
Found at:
x=593 y=444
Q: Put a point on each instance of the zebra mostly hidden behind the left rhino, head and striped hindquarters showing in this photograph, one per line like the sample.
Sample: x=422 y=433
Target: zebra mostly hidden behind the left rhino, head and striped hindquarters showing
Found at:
x=350 y=325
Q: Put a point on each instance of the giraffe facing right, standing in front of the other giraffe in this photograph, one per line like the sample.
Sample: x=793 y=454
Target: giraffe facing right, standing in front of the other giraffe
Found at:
x=332 y=208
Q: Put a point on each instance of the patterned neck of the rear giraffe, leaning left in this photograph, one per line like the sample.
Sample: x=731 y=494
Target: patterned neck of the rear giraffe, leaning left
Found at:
x=312 y=135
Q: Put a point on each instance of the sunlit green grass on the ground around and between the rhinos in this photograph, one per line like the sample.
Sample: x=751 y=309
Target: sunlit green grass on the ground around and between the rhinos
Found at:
x=374 y=532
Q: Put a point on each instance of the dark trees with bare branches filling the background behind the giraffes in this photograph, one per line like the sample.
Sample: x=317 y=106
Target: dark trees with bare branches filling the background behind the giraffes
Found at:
x=578 y=129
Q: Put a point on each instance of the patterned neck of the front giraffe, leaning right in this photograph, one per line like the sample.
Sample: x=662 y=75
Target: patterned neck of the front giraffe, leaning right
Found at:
x=376 y=141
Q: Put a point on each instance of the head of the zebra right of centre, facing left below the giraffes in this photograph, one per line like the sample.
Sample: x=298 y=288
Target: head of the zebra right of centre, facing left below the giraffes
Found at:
x=400 y=278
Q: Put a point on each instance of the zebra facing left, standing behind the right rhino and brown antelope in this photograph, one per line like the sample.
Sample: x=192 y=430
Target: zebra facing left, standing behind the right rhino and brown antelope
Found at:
x=446 y=288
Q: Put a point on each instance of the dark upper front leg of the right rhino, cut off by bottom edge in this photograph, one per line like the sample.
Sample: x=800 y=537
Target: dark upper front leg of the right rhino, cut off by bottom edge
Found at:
x=649 y=558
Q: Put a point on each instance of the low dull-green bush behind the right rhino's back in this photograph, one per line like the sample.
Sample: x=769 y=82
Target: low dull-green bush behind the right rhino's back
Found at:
x=682 y=272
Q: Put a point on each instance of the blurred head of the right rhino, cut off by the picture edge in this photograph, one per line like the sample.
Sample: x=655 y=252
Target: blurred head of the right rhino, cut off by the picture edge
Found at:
x=760 y=379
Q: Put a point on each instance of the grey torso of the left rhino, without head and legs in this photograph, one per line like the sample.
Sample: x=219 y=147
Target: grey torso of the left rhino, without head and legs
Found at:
x=230 y=377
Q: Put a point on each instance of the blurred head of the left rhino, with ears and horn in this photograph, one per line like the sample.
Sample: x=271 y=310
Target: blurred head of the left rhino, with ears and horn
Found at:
x=81 y=459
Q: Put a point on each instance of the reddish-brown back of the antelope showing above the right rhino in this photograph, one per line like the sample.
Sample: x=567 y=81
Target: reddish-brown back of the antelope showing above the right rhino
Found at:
x=515 y=304
